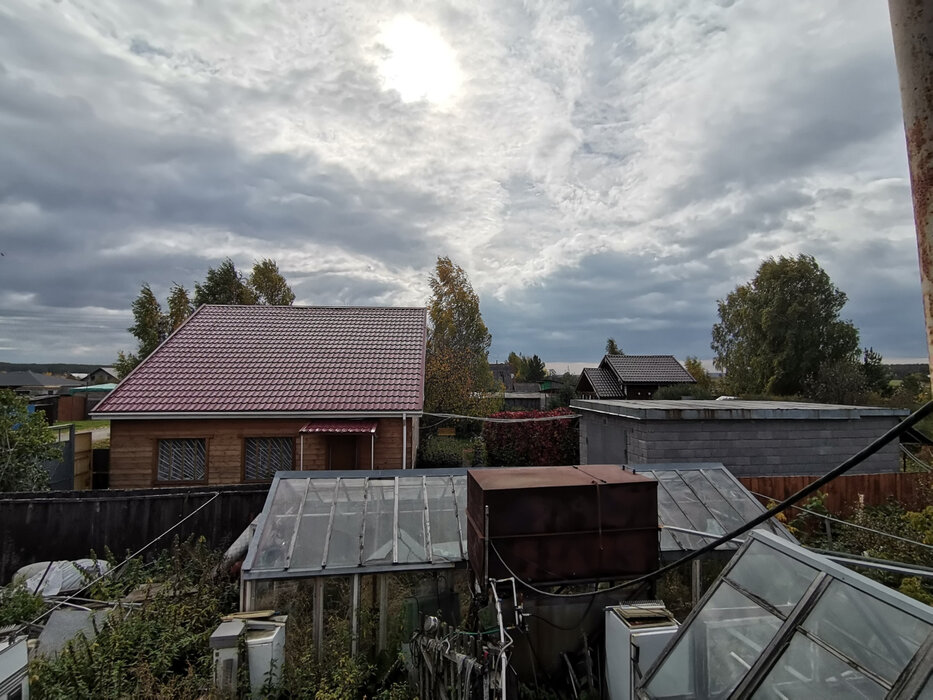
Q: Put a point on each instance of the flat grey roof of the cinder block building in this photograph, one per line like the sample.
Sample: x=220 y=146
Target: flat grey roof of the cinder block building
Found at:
x=733 y=409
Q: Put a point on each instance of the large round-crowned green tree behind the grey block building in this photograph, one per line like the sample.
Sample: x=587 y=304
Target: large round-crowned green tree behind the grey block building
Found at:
x=776 y=331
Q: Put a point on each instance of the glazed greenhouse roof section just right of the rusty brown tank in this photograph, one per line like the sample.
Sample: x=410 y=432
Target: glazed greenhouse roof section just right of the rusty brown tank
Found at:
x=704 y=498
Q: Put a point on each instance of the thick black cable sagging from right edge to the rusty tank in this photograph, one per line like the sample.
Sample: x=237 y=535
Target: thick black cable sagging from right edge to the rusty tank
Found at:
x=848 y=464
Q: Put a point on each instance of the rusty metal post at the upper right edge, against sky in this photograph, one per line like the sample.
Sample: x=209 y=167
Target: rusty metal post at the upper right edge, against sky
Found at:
x=912 y=28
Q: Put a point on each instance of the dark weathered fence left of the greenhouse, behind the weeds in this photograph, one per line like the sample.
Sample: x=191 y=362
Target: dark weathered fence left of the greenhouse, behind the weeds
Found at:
x=69 y=524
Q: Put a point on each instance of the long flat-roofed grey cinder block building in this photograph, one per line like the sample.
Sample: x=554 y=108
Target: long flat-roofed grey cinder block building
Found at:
x=751 y=438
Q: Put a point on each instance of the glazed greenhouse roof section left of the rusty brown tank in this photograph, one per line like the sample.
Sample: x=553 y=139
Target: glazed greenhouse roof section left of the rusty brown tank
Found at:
x=327 y=523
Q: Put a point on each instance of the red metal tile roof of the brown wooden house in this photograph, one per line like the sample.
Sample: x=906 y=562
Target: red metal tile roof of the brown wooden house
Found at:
x=282 y=359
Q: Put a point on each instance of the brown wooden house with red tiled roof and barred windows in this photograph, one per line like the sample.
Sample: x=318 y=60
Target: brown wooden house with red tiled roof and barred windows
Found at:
x=240 y=392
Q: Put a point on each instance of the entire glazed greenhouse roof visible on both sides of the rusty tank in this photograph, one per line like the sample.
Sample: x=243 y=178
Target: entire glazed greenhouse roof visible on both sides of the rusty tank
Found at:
x=324 y=523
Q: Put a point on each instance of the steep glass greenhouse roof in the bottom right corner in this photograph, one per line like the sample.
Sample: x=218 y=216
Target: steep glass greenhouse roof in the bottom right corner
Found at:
x=783 y=622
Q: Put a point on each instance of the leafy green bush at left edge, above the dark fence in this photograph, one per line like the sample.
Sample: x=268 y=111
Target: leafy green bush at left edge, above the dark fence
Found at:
x=25 y=443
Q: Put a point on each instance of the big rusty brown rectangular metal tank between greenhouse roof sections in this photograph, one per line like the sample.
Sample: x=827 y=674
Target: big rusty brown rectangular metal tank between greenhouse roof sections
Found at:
x=554 y=524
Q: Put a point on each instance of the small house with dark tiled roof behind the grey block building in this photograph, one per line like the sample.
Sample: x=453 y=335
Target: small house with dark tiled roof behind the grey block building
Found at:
x=631 y=377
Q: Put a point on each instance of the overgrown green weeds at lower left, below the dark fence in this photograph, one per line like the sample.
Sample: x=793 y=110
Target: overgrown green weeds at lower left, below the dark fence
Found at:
x=160 y=649
